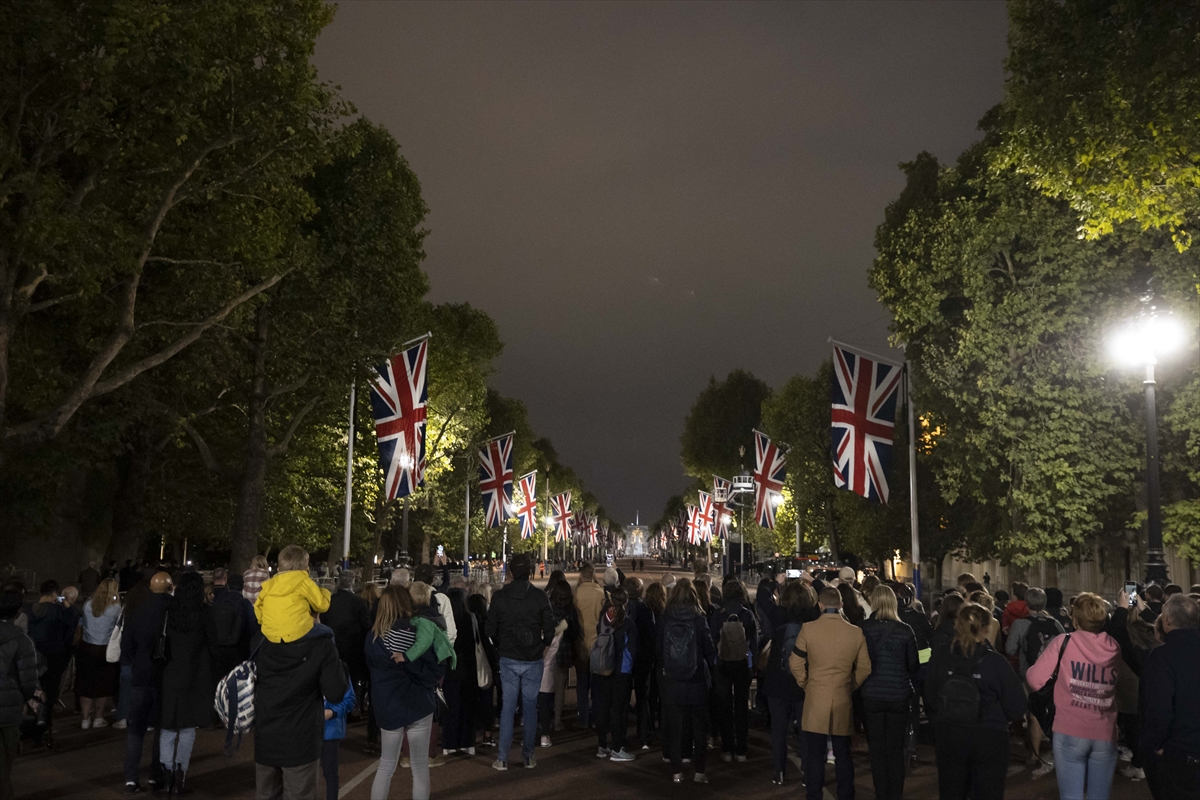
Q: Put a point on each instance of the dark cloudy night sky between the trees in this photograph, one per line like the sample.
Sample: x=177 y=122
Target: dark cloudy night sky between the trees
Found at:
x=647 y=195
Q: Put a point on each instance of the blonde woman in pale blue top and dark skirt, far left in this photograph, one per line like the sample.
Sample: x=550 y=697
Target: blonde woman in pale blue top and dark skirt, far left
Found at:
x=97 y=679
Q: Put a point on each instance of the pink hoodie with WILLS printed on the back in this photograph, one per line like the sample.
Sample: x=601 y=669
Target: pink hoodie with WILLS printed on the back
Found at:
x=1085 y=695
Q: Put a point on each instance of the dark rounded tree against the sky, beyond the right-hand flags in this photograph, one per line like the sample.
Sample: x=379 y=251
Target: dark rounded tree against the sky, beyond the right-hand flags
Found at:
x=721 y=422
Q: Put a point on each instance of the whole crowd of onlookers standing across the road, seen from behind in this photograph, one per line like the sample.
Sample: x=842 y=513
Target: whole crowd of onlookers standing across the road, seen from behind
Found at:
x=447 y=667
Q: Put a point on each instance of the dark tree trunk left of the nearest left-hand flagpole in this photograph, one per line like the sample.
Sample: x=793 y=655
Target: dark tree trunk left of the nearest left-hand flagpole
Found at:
x=253 y=490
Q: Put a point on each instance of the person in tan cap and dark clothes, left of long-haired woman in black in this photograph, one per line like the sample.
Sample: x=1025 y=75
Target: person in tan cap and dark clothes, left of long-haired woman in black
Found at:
x=146 y=609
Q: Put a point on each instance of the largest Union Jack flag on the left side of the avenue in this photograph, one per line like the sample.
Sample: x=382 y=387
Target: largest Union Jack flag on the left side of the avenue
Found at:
x=398 y=402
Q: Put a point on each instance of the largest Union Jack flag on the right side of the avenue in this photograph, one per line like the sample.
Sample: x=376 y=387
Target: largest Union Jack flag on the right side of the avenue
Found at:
x=865 y=411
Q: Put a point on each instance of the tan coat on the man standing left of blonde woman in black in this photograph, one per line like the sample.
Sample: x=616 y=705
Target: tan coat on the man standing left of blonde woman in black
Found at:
x=836 y=666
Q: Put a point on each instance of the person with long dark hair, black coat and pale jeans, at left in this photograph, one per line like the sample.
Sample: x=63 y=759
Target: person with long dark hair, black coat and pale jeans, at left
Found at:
x=188 y=678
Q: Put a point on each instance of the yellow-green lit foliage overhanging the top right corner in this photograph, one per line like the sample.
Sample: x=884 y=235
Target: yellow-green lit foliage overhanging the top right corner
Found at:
x=1101 y=110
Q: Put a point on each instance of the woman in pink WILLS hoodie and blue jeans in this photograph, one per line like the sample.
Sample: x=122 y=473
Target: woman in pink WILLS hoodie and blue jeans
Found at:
x=1085 y=724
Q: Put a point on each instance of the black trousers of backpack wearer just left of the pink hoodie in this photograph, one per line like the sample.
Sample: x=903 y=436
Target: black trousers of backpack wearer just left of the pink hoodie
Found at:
x=970 y=761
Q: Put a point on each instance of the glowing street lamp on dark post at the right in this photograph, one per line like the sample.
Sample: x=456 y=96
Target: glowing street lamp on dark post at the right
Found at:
x=1143 y=342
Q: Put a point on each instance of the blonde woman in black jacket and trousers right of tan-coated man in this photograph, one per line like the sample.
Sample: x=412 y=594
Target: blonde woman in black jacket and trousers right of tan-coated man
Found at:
x=887 y=693
